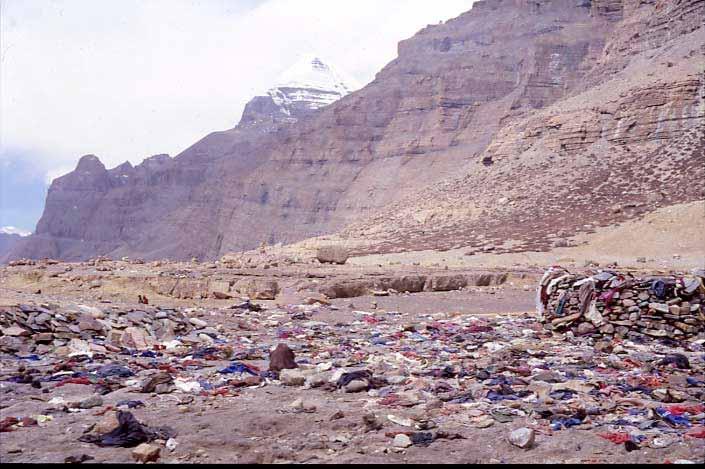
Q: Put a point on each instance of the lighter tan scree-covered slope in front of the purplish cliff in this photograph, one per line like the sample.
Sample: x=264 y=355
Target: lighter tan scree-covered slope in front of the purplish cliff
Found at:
x=625 y=147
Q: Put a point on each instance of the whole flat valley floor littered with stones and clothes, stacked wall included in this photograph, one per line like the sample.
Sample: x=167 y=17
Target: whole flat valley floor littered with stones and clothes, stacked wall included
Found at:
x=100 y=363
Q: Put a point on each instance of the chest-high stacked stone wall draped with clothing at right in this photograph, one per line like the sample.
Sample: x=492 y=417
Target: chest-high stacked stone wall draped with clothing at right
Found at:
x=615 y=304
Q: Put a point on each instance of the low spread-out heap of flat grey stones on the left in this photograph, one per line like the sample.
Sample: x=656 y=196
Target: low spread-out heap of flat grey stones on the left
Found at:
x=44 y=328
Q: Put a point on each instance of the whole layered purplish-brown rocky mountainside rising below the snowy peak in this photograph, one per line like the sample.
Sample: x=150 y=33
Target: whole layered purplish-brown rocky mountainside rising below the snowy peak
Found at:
x=516 y=117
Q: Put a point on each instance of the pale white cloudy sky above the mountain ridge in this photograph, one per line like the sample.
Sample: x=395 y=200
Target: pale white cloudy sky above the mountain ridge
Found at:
x=127 y=79
